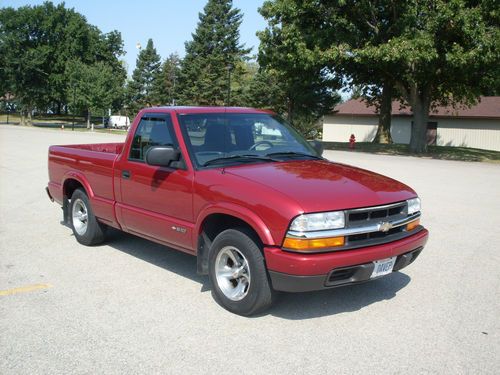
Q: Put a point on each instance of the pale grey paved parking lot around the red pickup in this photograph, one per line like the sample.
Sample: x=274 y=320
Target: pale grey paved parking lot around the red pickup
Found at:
x=132 y=306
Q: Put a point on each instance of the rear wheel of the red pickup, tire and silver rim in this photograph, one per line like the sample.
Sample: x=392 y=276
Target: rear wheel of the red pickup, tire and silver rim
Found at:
x=87 y=230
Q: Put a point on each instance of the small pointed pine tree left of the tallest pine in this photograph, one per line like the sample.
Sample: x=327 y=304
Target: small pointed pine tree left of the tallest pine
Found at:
x=140 y=89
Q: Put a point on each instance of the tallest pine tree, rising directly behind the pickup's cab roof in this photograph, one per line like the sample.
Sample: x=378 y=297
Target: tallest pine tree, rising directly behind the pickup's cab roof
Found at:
x=212 y=56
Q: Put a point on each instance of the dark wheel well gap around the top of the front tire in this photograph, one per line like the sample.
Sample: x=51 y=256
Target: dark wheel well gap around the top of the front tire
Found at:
x=210 y=228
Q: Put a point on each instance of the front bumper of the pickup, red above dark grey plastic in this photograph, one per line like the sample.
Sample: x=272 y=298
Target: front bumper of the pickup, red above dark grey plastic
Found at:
x=294 y=272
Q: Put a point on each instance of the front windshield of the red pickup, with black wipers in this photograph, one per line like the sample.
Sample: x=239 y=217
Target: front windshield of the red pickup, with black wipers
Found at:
x=219 y=139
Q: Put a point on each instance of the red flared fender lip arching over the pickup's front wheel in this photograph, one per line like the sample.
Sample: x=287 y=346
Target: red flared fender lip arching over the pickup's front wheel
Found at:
x=239 y=212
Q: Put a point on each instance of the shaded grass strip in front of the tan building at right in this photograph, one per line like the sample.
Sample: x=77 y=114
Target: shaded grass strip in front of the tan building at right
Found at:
x=435 y=152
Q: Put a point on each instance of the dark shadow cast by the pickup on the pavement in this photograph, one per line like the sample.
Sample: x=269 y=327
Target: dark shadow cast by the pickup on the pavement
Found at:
x=292 y=306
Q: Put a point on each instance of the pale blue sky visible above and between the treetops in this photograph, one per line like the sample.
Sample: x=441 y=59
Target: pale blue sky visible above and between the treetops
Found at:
x=169 y=23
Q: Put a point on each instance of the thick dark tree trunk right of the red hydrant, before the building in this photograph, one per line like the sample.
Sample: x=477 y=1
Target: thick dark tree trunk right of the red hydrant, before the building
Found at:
x=420 y=105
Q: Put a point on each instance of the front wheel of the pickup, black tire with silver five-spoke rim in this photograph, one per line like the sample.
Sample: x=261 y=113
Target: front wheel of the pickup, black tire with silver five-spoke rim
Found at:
x=237 y=272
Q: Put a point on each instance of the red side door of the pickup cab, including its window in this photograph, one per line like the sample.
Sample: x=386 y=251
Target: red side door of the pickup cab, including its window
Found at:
x=156 y=202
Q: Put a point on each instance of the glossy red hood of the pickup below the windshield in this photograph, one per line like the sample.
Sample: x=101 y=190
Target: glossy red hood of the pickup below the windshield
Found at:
x=318 y=185
